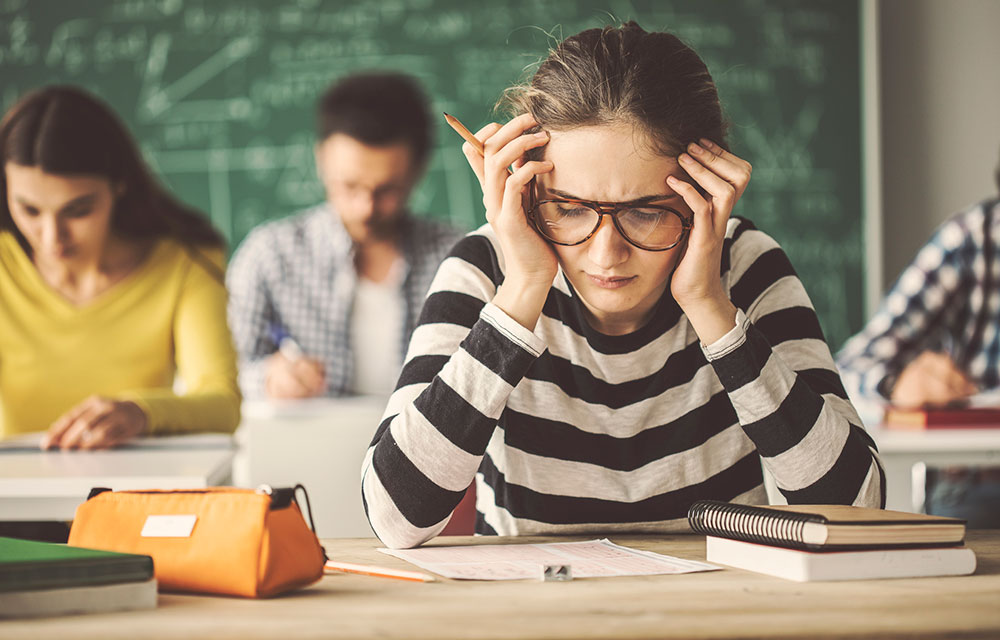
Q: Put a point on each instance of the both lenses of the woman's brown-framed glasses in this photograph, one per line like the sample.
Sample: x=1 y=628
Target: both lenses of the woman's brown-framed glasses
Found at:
x=571 y=223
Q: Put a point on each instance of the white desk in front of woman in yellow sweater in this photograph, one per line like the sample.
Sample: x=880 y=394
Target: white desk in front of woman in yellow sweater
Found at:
x=48 y=485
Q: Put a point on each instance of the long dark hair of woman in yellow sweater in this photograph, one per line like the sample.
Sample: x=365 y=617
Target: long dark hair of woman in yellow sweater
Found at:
x=65 y=130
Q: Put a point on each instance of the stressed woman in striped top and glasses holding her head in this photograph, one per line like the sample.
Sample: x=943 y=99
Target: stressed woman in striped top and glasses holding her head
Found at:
x=613 y=345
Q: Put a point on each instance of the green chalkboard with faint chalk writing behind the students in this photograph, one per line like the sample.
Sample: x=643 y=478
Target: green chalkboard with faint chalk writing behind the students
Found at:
x=220 y=94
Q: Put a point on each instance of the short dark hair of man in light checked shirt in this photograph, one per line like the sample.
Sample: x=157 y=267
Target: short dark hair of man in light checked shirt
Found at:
x=378 y=109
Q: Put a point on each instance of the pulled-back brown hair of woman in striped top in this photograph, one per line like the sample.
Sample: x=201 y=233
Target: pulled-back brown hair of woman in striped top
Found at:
x=624 y=74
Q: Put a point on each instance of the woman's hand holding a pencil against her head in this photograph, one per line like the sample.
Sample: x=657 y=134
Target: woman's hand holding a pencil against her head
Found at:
x=530 y=262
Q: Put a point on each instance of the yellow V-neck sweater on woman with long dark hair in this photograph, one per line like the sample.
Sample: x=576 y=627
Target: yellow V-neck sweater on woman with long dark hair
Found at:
x=166 y=317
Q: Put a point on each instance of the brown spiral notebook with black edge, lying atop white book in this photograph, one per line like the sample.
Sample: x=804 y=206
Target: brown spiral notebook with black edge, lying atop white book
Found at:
x=823 y=527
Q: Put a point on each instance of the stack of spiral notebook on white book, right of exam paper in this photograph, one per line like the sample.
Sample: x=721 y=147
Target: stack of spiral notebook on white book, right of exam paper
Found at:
x=831 y=542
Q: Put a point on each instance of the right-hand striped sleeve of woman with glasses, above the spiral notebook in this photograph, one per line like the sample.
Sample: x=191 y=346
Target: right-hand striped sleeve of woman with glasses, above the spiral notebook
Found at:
x=782 y=381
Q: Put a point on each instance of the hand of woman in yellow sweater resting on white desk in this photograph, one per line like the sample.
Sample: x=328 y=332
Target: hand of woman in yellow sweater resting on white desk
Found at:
x=96 y=423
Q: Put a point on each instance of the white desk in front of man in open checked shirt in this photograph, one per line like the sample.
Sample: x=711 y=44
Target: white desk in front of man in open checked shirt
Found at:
x=320 y=444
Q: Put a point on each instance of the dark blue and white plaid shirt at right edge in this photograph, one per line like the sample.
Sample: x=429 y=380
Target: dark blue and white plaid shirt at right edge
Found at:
x=947 y=299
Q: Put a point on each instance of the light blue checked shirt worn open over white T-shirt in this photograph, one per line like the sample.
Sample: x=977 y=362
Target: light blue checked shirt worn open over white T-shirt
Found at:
x=298 y=274
